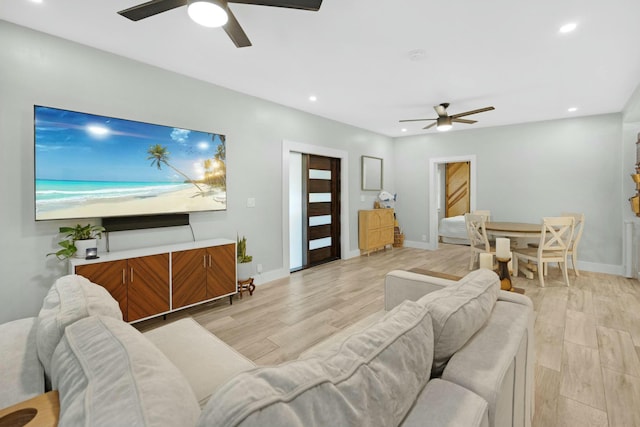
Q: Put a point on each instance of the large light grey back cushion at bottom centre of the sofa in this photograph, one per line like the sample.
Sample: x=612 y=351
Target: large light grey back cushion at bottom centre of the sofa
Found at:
x=371 y=379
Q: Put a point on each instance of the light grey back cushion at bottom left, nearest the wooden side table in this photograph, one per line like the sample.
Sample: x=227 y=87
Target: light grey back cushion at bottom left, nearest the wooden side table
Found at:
x=108 y=374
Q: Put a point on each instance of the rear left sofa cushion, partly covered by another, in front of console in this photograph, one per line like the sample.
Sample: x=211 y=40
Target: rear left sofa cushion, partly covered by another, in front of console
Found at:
x=70 y=298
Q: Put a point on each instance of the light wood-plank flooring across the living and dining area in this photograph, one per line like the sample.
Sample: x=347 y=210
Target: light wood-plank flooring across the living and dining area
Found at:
x=587 y=335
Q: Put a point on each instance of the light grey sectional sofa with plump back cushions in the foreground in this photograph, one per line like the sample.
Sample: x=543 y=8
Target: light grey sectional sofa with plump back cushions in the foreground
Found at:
x=446 y=354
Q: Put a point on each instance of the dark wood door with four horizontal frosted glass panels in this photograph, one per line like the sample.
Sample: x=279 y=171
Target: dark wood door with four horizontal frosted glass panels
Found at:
x=321 y=190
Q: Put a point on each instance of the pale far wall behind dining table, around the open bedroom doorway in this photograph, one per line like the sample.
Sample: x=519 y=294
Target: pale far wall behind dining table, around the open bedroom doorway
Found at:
x=528 y=171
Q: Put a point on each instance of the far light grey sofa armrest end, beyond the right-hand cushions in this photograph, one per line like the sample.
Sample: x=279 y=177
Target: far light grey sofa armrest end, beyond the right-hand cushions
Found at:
x=401 y=285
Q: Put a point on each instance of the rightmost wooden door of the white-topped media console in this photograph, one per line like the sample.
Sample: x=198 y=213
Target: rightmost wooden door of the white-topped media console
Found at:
x=221 y=270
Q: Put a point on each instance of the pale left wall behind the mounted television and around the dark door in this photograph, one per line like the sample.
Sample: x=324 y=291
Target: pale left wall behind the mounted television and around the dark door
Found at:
x=39 y=69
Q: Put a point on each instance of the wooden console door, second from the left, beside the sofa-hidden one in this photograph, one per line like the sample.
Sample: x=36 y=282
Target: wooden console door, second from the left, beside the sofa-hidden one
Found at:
x=148 y=286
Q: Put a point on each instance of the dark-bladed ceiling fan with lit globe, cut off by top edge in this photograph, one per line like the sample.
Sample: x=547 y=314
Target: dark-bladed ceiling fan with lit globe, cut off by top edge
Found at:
x=214 y=13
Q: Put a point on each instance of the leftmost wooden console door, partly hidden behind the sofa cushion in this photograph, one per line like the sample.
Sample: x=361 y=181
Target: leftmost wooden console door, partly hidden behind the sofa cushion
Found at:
x=111 y=276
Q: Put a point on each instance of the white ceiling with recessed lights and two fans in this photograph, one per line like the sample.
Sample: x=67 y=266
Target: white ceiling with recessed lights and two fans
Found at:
x=358 y=56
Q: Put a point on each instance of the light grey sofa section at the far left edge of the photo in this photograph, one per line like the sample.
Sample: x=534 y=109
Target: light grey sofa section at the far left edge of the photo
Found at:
x=21 y=373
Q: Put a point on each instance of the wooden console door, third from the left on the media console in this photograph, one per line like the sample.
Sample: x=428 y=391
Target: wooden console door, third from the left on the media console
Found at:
x=188 y=277
